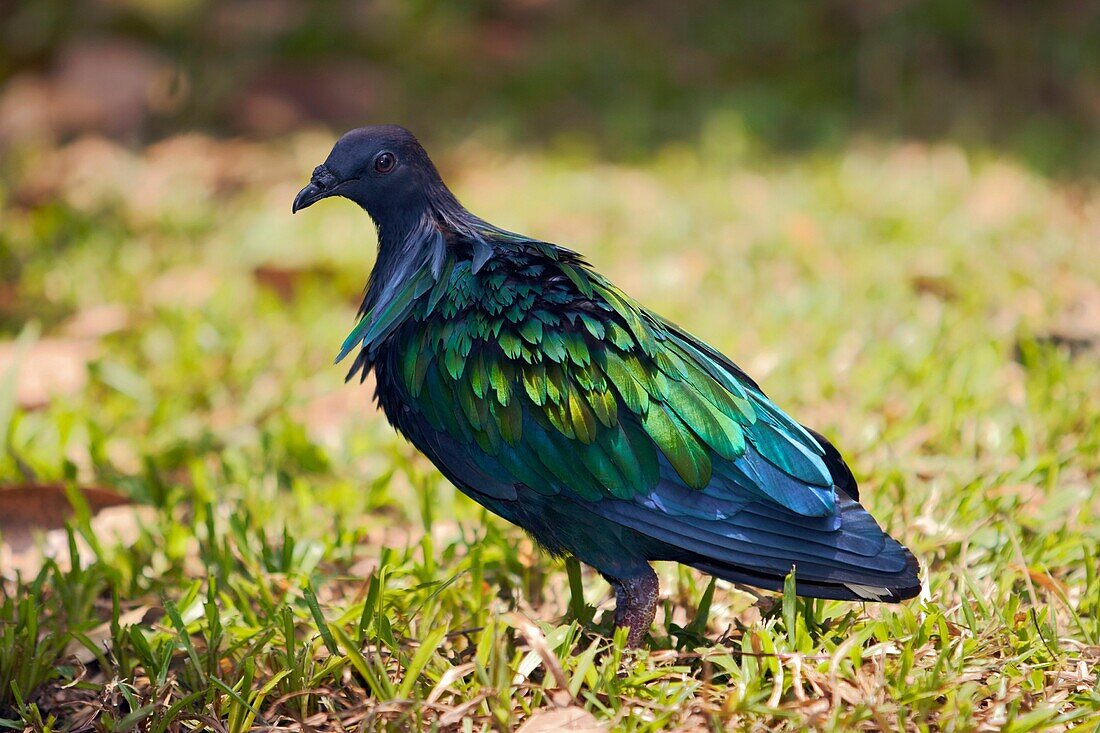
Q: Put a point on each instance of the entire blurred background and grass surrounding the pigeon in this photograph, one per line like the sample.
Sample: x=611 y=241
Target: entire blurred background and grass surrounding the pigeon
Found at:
x=887 y=212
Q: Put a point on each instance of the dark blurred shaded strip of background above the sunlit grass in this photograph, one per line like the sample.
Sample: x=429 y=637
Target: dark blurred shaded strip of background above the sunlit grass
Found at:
x=1015 y=75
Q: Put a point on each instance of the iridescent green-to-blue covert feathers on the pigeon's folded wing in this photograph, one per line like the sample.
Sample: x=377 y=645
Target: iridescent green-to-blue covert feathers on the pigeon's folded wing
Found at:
x=569 y=386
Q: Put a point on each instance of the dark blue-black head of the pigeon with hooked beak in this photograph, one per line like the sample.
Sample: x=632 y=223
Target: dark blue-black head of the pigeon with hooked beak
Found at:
x=383 y=169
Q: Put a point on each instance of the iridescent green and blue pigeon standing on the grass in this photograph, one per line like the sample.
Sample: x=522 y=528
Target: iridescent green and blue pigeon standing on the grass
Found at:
x=562 y=404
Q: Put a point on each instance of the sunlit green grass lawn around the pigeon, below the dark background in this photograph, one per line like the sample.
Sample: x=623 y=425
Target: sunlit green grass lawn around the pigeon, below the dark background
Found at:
x=300 y=566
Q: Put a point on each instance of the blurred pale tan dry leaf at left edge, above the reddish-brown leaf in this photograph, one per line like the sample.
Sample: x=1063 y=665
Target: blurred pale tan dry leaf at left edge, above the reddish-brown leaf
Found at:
x=48 y=369
